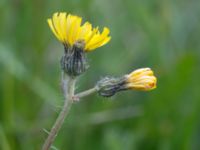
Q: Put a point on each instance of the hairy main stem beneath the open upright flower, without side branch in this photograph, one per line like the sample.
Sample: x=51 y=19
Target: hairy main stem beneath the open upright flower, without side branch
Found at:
x=68 y=90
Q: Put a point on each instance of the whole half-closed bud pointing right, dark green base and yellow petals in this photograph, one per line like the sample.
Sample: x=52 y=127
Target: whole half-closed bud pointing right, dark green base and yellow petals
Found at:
x=141 y=79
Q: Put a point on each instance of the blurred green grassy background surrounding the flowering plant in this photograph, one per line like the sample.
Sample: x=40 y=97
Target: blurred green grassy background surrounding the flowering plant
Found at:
x=161 y=34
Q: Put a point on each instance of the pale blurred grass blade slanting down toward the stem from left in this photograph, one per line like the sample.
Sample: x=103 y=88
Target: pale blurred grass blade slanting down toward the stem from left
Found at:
x=20 y=72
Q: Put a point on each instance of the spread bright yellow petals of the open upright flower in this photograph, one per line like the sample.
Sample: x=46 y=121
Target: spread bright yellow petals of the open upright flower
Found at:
x=70 y=31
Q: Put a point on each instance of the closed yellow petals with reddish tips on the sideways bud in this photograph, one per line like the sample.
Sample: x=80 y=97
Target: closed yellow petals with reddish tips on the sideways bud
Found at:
x=141 y=79
